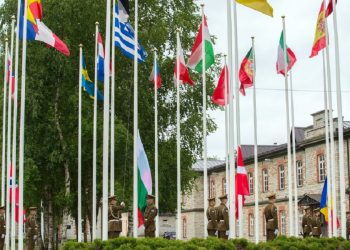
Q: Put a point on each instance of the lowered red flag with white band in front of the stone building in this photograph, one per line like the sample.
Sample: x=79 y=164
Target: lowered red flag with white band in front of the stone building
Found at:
x=242 y=186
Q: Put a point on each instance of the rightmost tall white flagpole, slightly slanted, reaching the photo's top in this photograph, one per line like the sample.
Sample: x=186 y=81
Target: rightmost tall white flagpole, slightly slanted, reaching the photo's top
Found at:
x=340 y=125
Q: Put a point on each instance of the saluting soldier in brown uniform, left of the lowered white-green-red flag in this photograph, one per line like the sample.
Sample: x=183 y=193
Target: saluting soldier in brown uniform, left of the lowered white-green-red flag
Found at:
x=114 y=218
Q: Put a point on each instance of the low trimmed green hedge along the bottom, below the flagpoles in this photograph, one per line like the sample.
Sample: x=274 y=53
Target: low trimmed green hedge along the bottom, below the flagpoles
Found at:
x=282 y=243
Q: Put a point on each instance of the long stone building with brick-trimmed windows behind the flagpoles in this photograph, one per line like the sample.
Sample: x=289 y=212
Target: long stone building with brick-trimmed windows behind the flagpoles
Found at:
x=273 y=171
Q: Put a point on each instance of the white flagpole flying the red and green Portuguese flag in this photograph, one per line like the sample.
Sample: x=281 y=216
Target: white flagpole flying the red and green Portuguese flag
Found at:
x=256 y=170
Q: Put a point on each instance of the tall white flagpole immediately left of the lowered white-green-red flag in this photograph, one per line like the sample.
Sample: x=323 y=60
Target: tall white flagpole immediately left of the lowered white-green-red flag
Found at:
x=136 y=112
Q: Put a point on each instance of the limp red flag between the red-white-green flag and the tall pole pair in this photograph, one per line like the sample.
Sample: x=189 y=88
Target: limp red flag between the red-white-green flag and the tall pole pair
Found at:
x=218 y=96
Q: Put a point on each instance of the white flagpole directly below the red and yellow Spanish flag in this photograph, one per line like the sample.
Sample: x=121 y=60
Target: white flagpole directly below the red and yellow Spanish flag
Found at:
x=329 y=206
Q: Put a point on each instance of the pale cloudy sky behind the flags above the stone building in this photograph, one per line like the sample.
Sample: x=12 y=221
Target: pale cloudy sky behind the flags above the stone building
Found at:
x=301 y=19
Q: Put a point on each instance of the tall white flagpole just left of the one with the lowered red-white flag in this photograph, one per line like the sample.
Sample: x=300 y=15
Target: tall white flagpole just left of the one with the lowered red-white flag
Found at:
x=232 y=232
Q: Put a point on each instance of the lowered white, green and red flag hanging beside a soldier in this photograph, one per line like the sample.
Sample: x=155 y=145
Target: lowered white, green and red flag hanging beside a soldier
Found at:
x=144 y=180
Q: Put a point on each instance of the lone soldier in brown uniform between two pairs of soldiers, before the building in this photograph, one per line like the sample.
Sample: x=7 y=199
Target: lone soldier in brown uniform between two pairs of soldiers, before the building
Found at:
x=270 y=213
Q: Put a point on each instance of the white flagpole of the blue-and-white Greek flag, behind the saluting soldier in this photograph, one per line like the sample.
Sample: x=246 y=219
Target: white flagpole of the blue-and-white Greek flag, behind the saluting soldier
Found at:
x=112 y=105
